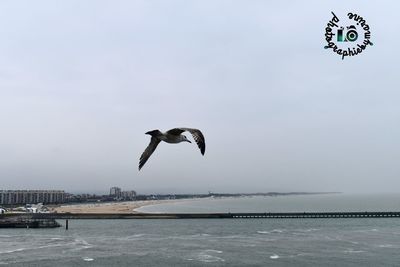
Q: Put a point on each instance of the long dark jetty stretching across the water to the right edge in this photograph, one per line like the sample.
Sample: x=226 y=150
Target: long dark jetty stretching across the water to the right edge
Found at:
x=266 y=215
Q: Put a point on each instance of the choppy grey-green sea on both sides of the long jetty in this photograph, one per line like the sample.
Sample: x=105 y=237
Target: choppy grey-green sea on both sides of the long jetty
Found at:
x=219 y=242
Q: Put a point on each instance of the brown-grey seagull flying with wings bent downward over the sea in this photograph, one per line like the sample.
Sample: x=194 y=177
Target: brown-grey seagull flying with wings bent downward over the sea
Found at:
x=172 y=136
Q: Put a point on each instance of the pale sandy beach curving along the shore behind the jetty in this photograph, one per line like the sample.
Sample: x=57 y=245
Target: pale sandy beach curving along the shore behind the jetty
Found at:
x=111 y=207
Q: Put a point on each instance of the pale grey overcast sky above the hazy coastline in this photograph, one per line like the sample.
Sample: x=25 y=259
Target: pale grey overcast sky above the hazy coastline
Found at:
x=82 y=81
